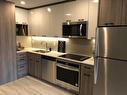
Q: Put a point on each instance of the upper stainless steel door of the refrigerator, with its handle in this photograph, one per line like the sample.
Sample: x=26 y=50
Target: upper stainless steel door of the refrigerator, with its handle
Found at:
x=111 y=42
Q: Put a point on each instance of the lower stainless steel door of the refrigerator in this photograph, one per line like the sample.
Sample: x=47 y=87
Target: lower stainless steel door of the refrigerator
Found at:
x=112 y=77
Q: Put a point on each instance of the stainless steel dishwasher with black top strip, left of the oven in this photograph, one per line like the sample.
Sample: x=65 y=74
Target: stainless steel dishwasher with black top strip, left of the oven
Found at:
x=48 y=68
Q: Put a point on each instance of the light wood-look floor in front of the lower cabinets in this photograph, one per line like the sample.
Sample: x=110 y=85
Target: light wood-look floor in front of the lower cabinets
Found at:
x=30 y=86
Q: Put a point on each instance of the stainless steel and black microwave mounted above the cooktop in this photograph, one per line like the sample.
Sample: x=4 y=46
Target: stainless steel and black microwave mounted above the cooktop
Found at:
x=75 y=29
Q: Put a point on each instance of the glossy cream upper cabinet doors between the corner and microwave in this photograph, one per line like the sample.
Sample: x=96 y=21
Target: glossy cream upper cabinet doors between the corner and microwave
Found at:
x=46 y=21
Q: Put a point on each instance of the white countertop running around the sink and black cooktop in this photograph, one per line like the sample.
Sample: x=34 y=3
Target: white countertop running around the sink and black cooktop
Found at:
x=56 y=54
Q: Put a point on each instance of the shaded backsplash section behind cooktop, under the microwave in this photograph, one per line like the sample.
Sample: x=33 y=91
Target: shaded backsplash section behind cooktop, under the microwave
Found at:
x=80 y=46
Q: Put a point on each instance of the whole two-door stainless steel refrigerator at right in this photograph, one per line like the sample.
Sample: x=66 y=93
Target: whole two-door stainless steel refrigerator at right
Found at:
x=111 y=61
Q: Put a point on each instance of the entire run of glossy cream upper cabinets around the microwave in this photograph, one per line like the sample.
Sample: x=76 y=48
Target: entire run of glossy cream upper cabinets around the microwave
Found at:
x=47 y=21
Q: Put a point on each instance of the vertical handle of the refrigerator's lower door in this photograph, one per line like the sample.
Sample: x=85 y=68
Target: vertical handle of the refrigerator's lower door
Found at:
x=96 y=71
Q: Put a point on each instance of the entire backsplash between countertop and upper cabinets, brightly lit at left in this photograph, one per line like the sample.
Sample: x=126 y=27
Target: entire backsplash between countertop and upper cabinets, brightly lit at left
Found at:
x=77 y=46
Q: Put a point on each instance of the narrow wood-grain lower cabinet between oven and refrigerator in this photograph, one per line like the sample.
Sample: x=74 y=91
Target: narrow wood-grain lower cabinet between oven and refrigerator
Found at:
x=87 y=80
